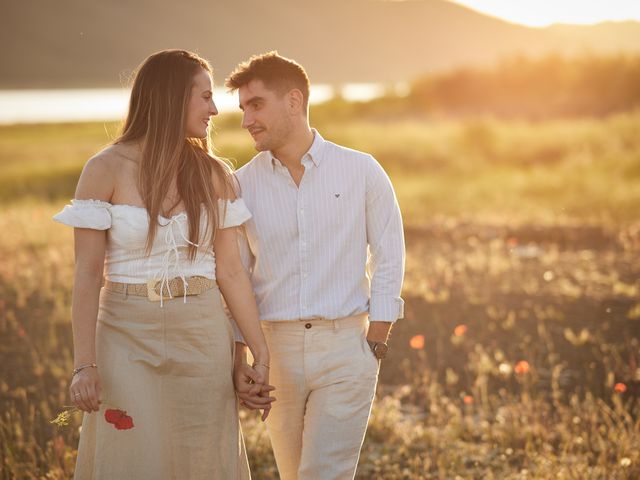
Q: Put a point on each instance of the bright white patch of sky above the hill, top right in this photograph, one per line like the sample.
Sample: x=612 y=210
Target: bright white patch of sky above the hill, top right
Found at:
x=540 y=13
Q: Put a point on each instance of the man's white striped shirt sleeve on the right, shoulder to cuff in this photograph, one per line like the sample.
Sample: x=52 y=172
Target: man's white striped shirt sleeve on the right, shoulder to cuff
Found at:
x=385 y=237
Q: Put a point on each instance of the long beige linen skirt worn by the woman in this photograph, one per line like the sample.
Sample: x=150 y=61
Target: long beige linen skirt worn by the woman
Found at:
x=169 y=409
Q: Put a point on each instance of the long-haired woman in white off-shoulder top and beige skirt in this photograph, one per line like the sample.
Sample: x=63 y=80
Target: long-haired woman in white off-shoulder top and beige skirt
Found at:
x=153 y=349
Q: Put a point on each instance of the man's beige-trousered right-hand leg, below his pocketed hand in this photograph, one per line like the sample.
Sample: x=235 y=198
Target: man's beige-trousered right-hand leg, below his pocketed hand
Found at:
x=342 y=376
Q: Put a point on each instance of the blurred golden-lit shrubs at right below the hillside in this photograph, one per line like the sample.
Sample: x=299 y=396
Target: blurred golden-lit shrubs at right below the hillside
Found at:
x=553 y=86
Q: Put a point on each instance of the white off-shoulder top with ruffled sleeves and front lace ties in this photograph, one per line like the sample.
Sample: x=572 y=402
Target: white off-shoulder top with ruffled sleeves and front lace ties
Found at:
x=127 y=226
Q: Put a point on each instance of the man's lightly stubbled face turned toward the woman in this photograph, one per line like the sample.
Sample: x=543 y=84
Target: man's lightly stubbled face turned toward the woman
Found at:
x=265 y=115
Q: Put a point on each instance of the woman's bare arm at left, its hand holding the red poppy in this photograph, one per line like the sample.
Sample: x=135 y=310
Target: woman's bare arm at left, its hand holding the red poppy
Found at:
x=96 y=183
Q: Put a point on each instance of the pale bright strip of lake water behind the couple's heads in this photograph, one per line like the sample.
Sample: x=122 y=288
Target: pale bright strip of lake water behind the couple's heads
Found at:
x=79 y=105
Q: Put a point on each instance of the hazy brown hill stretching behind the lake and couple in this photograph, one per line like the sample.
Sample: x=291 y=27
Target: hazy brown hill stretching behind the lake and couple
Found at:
x=80 y=43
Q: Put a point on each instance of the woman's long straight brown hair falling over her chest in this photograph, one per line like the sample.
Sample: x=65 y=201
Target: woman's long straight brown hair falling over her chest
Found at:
x=157 y=117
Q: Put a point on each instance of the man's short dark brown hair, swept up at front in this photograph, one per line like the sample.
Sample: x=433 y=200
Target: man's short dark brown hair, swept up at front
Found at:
x=278 y=73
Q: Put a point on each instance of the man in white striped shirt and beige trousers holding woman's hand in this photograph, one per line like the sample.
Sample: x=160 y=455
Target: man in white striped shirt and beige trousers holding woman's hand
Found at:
x=326 y=254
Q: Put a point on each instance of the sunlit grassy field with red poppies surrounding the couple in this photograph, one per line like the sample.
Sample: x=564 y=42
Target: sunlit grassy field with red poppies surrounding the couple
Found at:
x=518 y=357
